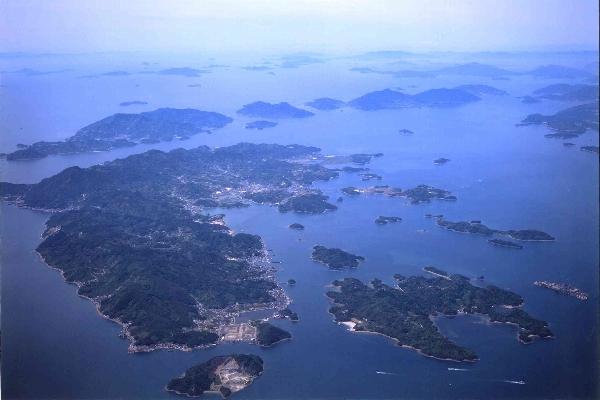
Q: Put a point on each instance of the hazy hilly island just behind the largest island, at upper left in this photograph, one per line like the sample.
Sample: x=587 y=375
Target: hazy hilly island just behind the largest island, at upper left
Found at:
x=123 y=130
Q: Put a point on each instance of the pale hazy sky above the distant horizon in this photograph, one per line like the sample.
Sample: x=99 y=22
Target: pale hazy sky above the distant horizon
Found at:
x=296 y=25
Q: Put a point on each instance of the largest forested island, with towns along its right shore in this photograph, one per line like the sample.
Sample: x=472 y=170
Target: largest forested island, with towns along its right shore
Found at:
x=133 y=236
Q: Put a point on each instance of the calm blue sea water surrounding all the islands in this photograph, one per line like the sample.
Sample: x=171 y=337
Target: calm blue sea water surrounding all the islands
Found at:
x=54 y=344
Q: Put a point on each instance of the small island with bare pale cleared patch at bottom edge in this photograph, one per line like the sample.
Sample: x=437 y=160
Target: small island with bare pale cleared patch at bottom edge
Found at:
x=222 y=374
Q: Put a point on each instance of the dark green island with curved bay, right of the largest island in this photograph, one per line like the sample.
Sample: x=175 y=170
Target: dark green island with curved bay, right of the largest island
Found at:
x=405 y=313
